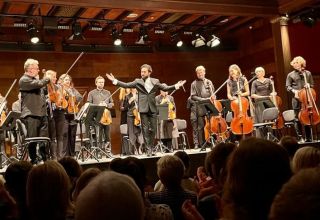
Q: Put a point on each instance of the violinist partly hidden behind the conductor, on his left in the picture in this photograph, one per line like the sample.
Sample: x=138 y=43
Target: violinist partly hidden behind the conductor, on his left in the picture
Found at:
x=133 y=122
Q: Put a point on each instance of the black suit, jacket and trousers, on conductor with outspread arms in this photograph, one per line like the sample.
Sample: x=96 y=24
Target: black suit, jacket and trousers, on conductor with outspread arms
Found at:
x=147 y=106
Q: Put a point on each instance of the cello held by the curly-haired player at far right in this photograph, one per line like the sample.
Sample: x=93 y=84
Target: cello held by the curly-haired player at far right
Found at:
x=309 y=114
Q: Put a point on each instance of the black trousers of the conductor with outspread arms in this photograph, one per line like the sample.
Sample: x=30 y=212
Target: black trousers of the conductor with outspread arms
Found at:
x=149 y=128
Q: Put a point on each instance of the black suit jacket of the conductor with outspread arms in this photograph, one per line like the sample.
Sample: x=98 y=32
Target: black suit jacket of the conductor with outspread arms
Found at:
x=146 y=101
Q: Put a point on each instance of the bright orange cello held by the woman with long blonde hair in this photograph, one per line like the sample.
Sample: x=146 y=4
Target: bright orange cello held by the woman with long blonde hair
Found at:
x=241 y=123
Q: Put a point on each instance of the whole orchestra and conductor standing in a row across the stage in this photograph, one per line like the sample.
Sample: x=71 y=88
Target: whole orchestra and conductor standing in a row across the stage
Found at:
x=50 y=107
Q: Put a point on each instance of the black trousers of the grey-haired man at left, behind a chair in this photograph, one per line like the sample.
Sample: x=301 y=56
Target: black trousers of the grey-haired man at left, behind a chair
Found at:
x=36 y=127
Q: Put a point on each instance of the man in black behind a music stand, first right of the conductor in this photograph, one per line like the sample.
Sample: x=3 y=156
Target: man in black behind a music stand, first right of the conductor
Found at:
x=201 y=90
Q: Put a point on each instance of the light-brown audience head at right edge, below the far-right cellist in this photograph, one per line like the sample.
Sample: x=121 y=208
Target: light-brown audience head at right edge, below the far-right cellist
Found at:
x=305 y=157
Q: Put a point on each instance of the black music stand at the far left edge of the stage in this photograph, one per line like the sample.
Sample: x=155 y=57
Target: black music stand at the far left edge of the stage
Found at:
x=8 y=124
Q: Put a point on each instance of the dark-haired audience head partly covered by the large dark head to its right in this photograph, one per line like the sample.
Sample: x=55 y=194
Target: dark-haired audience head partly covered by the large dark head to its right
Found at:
x=216 y=161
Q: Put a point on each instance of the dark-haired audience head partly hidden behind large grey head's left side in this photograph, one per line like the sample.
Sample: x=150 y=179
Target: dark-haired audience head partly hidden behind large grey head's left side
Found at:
x=84 y=180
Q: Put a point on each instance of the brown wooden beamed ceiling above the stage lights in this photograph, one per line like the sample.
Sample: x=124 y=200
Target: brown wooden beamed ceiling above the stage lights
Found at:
x=219 y=17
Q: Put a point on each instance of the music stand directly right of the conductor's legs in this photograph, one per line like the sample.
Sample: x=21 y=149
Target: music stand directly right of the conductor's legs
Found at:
x=162 y=115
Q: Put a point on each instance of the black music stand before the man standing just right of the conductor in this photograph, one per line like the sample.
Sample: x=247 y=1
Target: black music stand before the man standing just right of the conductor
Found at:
x=206 y=108
